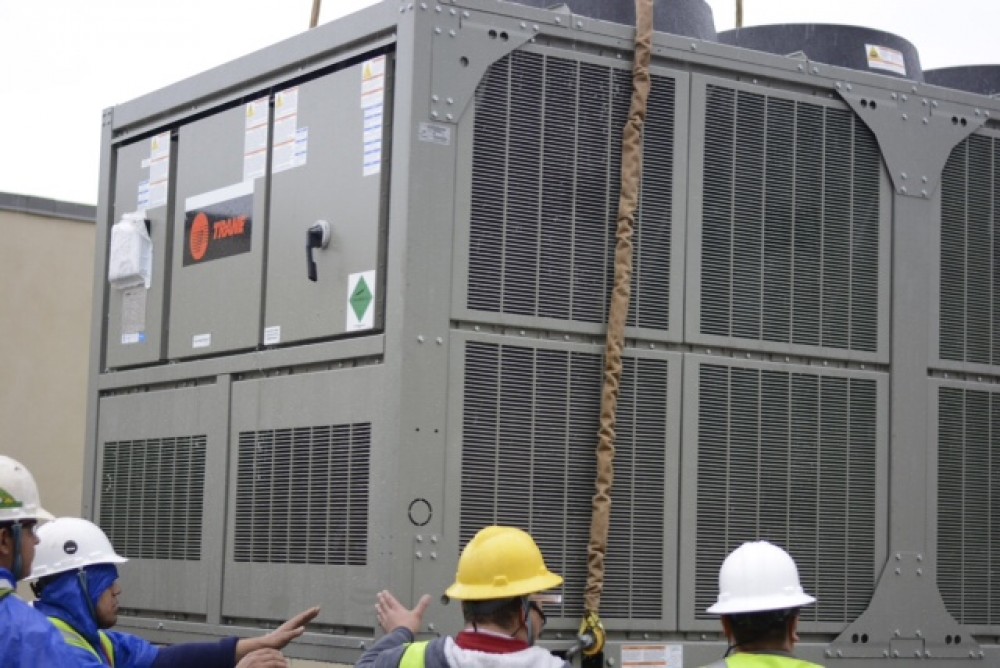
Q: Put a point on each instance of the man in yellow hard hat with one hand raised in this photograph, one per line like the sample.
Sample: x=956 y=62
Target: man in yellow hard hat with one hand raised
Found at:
x=500 y=579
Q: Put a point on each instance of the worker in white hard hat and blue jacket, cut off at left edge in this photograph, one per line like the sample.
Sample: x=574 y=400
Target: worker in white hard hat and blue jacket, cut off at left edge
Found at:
x=26 y=636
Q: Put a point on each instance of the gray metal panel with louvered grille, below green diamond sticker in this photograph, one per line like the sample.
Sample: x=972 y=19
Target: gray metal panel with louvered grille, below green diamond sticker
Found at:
x=304 y=524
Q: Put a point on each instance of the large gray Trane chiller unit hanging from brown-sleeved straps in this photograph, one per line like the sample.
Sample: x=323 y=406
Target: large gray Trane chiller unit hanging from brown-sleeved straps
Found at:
x=371 y=321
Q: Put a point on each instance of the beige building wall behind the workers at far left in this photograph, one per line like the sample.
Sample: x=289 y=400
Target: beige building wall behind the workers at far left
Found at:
x=46 y=278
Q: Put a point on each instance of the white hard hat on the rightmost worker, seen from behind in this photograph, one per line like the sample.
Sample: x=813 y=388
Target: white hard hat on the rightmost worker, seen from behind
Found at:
x=756 y=577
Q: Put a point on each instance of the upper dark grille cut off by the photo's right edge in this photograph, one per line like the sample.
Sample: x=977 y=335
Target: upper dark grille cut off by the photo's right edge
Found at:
x=970 y=250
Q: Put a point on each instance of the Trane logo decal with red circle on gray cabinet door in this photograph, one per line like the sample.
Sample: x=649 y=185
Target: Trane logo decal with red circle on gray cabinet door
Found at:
x=218 y=224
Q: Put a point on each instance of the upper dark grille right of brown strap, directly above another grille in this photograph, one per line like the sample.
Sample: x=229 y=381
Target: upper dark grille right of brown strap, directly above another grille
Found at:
x=791 y=223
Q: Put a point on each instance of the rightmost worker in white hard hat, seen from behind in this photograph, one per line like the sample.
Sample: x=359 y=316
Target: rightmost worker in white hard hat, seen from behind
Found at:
x=759 y=600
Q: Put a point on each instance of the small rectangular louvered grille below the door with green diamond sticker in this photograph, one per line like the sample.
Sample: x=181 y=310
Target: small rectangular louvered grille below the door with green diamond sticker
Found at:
x=302 y=495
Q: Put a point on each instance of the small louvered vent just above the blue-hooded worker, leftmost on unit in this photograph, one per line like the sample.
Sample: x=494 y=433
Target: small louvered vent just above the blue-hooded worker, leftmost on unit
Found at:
x=152 y=497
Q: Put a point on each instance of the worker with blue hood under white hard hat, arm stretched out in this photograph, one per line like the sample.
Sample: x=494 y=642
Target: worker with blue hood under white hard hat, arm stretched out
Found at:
x=76 y=581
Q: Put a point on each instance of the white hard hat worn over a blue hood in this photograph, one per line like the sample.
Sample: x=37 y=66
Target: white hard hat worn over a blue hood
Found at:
x=69 y=543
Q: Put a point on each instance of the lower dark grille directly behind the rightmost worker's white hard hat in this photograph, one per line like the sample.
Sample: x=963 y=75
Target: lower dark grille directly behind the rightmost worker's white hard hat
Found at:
x=789 y=458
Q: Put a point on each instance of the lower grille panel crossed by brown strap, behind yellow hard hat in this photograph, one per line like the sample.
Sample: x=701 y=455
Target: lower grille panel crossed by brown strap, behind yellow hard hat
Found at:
x=522 y=437
